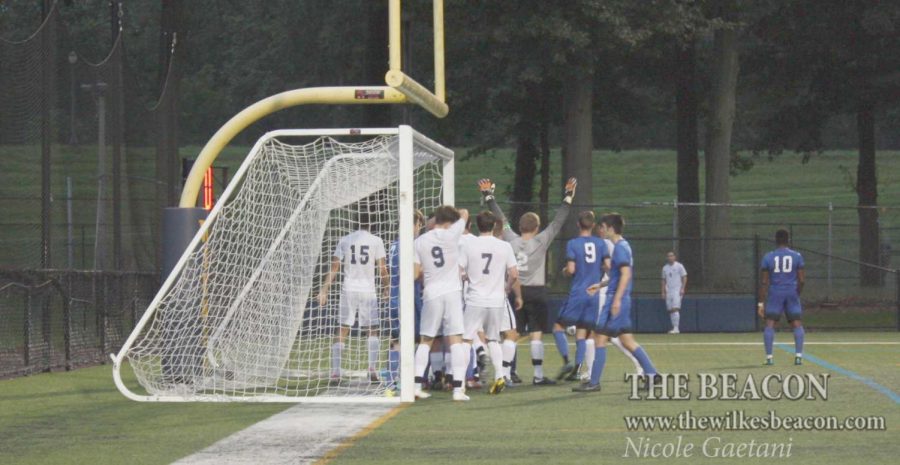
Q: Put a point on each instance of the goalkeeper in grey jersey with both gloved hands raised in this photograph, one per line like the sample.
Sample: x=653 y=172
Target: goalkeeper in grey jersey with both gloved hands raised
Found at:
x=531 y=256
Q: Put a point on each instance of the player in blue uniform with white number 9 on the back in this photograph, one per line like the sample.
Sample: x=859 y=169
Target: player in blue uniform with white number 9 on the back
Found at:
x=586 y=259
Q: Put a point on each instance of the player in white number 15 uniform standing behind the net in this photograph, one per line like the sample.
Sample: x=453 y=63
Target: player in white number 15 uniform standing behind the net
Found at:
x=360 y=254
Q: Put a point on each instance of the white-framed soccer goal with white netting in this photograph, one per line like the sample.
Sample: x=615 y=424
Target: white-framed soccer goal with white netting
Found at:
x=239 y=318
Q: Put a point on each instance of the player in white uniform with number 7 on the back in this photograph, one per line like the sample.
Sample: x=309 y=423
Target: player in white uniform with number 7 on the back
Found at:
x=490 y=265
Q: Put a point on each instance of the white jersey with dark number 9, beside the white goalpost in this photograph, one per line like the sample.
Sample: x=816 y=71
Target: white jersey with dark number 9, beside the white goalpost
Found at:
x=437 y=251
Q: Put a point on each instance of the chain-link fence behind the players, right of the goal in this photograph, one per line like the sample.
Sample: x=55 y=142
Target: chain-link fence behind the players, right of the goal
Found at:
x=840 y=290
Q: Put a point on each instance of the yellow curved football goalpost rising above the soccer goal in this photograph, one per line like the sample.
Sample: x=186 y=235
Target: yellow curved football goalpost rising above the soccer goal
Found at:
x=400 y=88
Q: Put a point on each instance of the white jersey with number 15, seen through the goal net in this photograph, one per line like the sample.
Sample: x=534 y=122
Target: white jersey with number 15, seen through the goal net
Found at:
x=358 y=252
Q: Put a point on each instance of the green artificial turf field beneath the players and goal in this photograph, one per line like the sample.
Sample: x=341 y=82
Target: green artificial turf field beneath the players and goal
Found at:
x=79 y=417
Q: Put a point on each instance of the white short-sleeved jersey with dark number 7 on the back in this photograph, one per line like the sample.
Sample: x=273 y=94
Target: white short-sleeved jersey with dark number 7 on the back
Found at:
x=486 y=260
